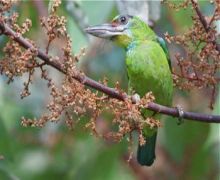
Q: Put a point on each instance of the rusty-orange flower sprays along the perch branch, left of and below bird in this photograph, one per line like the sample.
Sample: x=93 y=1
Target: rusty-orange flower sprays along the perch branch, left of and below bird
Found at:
x=71 y=100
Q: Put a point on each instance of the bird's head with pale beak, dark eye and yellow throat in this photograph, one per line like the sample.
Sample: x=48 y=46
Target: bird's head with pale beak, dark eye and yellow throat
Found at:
x=123 y=30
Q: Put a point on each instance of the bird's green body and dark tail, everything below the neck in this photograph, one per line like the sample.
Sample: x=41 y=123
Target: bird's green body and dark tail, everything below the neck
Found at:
x=148 y=70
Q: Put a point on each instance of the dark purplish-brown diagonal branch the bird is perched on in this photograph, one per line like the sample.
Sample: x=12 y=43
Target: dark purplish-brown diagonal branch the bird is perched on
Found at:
x=111 y=92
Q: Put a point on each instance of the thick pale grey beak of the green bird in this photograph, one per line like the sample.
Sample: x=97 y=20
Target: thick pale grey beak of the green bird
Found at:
x=105 y=30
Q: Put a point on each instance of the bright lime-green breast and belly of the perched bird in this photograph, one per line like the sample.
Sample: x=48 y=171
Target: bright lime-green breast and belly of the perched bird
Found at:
x=148 y=70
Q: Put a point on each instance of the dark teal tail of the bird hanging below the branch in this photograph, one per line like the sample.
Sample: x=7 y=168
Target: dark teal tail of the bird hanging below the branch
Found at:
x=146 y=153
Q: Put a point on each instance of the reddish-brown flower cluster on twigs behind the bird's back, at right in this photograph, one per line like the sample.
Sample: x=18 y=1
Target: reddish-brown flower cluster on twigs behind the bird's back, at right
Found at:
x=199 y=67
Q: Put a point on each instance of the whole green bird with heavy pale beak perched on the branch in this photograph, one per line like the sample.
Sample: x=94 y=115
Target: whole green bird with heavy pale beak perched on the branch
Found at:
x=148 y=68
